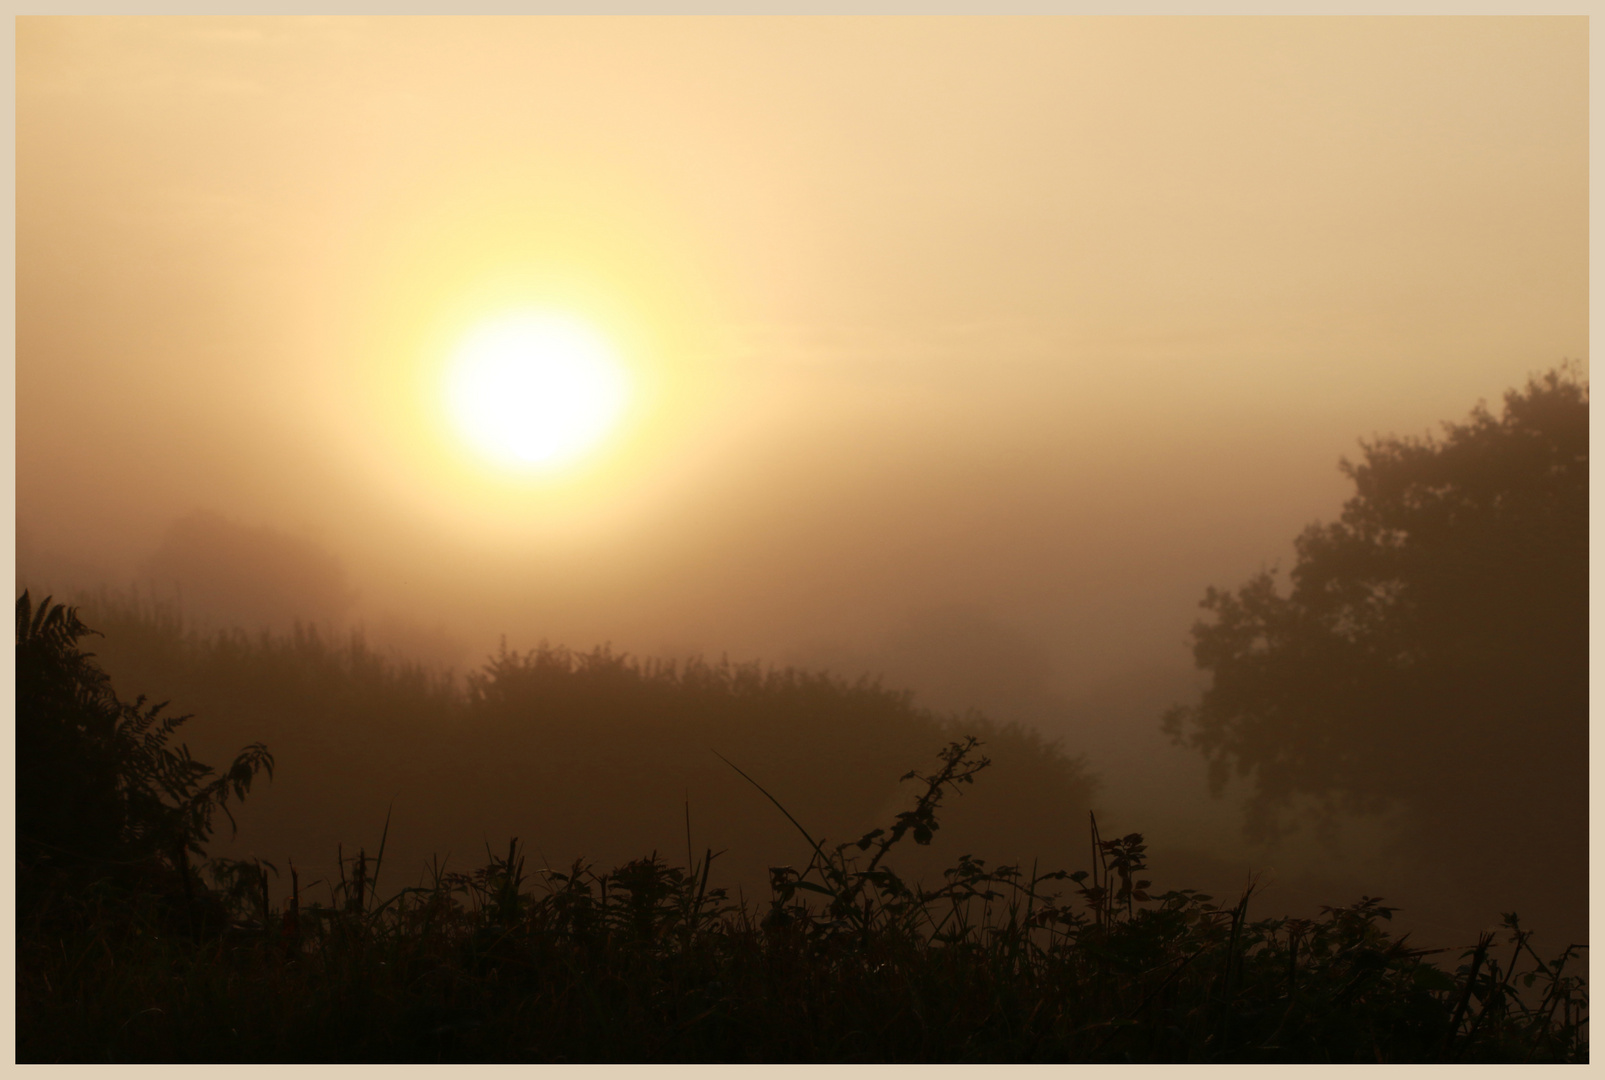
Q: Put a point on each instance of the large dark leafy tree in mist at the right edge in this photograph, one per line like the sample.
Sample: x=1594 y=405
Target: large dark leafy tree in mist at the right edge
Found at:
x=1432 y=652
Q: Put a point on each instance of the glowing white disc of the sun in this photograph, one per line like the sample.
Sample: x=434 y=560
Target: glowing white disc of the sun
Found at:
x=535 y=389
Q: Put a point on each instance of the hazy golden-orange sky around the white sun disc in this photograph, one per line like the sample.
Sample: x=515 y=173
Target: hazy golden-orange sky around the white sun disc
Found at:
x=1036 y=325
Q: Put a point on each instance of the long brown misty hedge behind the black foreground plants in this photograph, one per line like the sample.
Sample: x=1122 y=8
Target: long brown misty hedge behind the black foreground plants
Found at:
x=580 y=755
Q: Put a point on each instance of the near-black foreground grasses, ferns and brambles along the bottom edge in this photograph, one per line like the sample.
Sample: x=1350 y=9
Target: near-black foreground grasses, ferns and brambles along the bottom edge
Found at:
x=134 y=949
